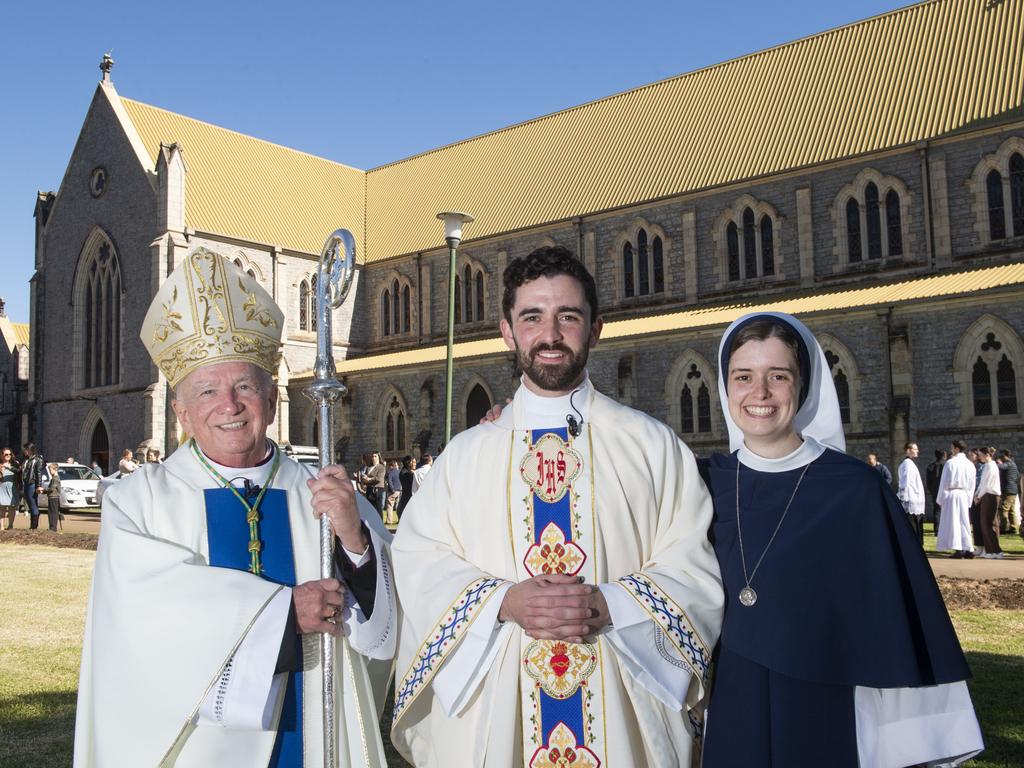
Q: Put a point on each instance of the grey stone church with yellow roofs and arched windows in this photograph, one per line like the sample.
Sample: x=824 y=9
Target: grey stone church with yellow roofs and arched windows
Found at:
x=870 y=180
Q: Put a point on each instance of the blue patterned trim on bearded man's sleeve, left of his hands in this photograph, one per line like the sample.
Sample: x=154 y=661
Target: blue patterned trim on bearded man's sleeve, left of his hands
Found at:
x=442 y=642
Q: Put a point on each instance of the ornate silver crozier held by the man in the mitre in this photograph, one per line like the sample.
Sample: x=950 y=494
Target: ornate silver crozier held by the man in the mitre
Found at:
x=334 y=278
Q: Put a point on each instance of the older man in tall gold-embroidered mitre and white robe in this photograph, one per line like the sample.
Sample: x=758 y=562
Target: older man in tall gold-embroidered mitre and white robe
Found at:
x=203 y=631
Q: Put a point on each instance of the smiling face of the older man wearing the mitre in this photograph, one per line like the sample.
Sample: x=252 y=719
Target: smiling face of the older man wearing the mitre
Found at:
x=228 y=408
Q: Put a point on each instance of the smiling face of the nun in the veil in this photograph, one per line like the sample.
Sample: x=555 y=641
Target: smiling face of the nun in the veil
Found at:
x=763 y=389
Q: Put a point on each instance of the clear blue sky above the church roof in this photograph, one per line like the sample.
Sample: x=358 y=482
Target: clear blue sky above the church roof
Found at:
x=362 y=83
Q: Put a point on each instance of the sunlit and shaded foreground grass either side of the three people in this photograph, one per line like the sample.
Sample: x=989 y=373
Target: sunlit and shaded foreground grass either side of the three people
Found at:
x=44 y=613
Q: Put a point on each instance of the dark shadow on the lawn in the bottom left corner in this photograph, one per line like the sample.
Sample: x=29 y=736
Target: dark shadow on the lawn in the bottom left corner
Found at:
x=38 y=731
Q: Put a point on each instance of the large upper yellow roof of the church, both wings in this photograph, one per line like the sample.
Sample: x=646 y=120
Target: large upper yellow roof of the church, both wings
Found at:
x=891 y=81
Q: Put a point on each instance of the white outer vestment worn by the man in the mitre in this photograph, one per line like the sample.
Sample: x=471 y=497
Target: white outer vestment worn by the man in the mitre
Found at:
x=163 y=629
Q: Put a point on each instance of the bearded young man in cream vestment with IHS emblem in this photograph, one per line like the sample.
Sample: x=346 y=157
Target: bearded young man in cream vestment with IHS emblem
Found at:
x=561 y=596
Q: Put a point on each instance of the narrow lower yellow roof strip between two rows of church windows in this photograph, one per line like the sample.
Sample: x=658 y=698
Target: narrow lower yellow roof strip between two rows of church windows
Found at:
x=933 y=287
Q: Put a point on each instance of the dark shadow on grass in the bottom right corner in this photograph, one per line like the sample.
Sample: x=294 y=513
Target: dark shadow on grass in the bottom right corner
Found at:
x=998 y=691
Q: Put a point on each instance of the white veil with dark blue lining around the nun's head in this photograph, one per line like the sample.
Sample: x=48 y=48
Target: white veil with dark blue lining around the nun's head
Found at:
x=820 y=416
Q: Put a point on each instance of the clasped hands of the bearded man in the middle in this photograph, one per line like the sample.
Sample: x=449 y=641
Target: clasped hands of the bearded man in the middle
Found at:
x=556 y=608
